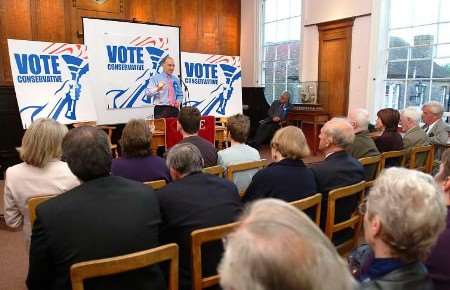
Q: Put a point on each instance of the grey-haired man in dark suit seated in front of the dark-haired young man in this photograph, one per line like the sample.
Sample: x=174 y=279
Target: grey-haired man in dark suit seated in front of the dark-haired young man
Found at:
x=194 y=201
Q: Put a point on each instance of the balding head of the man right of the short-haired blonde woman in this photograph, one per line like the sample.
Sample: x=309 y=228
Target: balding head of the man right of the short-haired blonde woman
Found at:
x=336 y=133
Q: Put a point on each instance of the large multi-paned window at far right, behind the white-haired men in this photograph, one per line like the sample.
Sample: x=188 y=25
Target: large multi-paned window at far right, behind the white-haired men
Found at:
x=418 y=53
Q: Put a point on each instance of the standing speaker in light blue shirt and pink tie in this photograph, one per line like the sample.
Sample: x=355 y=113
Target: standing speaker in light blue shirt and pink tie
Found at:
x=164 y=90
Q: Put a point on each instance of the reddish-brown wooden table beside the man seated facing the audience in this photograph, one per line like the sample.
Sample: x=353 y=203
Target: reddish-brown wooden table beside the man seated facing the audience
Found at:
x=310 y=120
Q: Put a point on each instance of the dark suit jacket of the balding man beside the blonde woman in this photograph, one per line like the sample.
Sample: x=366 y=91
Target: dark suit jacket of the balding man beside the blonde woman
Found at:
x=337 y=170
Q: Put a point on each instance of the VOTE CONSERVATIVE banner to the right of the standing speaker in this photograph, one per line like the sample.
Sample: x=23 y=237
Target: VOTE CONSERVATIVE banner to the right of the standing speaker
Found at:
x=213 y=83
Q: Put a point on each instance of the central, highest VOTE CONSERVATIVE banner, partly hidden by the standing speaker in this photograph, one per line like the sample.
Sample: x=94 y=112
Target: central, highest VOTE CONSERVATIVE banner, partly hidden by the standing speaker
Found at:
x=123 y=58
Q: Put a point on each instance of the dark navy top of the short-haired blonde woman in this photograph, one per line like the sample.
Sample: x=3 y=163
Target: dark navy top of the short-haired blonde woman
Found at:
x=287 y=179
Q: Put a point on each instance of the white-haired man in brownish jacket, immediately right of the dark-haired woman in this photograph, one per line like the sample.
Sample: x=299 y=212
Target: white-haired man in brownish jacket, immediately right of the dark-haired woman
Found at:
x=414 y=135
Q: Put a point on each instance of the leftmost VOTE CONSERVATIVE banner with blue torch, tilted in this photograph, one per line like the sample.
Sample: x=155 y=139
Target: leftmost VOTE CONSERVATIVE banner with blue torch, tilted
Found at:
x=50 y=81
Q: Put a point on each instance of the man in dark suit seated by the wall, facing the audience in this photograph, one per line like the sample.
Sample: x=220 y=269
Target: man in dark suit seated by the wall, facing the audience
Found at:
x=277 y=113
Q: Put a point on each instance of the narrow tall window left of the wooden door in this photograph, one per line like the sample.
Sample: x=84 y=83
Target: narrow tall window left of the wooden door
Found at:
x=281 y=47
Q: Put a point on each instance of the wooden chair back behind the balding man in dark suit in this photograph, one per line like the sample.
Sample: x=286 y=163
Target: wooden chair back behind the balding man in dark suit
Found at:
x=342 y=195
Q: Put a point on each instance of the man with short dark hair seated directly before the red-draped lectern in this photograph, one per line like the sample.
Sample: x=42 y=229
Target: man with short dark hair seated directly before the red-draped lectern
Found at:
x=188 y=125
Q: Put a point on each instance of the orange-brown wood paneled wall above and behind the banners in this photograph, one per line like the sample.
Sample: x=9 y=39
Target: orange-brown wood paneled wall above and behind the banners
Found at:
x=207 y=26
